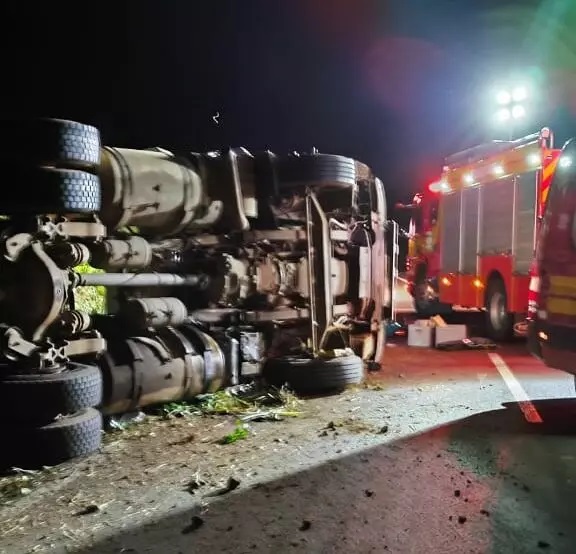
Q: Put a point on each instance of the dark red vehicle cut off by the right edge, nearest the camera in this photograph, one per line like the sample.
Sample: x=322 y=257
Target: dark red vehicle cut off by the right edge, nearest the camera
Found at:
x=556 y=259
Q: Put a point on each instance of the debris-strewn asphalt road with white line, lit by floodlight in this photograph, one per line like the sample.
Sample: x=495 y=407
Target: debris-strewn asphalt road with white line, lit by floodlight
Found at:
x=465 y=452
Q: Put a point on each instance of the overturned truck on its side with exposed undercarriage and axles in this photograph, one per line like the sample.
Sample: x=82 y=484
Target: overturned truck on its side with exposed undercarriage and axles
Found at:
x=219 y=267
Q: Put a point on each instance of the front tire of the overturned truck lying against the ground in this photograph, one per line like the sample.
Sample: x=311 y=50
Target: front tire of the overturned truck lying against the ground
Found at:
x=314 y=375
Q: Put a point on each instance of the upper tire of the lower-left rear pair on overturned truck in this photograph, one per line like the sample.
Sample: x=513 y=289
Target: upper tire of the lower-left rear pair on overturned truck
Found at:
x=36 y=396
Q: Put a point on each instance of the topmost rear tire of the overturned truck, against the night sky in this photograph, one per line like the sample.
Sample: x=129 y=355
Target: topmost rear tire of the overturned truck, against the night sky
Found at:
x=49 y=142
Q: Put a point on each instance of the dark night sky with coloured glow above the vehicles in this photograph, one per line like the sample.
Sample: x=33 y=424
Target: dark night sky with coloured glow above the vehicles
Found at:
x=396 y=84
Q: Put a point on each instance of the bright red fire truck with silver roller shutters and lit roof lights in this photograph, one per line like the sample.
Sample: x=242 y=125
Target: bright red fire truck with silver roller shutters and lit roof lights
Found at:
x=473 y=232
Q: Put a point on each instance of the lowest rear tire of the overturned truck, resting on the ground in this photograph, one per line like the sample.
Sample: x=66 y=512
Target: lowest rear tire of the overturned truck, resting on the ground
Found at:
x=66 y=438
